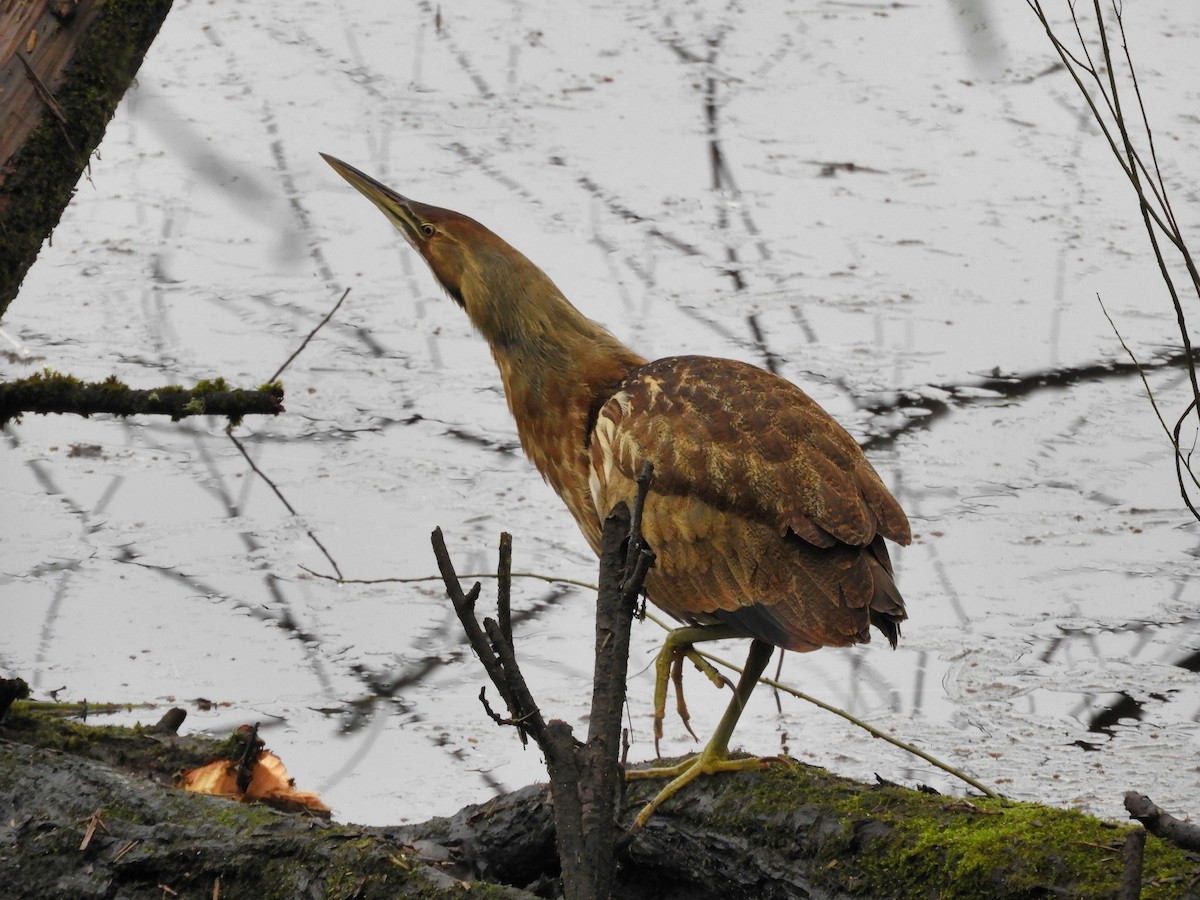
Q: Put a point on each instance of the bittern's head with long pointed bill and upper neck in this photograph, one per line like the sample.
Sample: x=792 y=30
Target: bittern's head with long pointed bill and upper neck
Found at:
x=481 y=272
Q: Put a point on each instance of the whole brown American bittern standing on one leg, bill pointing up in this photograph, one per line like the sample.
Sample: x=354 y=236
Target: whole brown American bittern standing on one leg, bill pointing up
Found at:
x=766 y=519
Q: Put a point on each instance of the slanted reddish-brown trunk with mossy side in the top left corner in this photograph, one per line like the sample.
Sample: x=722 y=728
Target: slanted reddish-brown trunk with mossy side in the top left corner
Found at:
x=64 y=68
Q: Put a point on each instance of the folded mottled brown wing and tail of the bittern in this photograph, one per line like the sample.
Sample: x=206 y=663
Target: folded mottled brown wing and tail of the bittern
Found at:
x=764 y=512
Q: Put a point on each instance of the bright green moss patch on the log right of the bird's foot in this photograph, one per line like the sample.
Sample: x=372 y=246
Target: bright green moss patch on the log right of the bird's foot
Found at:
x=897 y=843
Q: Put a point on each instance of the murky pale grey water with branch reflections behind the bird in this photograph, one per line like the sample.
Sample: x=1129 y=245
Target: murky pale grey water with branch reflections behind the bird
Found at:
x=1053 y=649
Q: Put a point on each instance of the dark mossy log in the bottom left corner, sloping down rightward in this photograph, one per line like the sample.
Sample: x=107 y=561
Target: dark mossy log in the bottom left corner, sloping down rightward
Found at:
x=92 y=813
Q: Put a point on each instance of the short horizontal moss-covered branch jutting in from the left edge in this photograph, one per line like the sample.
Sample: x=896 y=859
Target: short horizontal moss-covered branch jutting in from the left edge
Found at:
x=50 y=392
